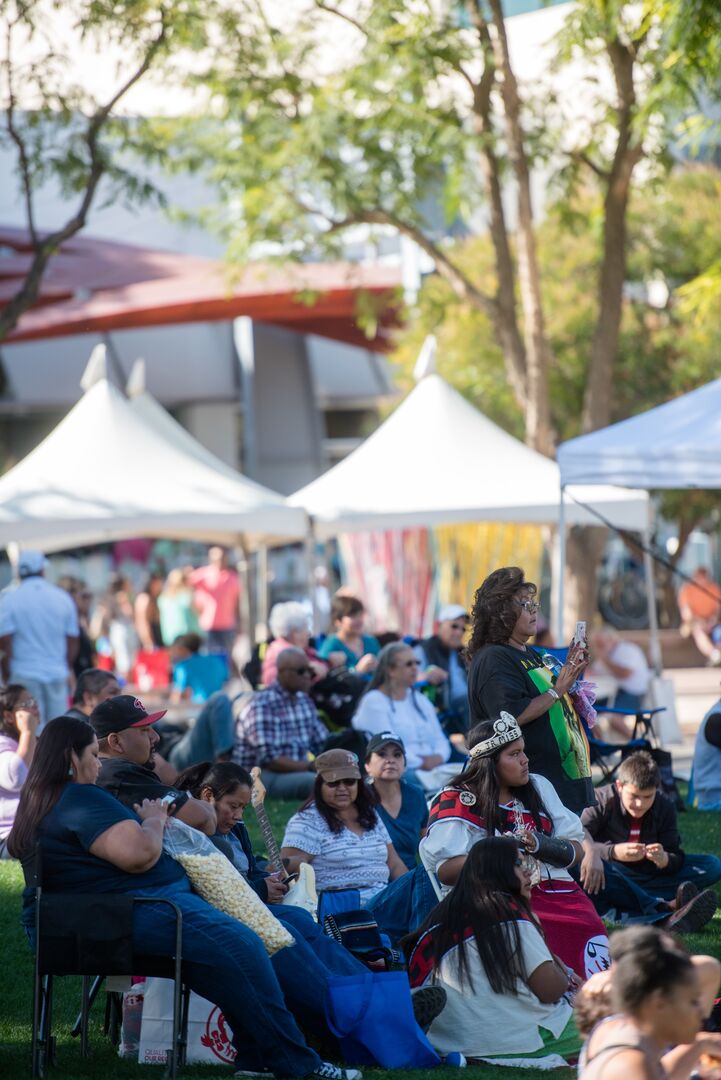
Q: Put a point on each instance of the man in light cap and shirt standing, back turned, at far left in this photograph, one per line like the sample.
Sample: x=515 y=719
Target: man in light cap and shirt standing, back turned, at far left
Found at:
x=39 y=637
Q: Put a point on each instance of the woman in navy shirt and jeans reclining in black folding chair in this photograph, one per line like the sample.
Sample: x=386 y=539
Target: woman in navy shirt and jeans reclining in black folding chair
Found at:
x=93 y=844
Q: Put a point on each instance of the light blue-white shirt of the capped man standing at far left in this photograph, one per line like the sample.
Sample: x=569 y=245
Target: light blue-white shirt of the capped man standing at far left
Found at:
x=40 y=618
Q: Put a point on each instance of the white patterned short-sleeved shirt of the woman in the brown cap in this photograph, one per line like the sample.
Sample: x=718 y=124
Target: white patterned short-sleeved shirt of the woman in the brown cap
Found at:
x=343 y=860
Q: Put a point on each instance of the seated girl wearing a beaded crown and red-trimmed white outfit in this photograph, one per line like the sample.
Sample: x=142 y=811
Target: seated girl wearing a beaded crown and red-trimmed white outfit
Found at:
x=498 y=794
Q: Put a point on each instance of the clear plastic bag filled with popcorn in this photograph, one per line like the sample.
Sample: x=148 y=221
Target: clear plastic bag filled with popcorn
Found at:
x=217 y=881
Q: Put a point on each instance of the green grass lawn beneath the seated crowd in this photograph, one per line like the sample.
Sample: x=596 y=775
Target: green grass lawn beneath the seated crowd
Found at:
x=701 y=833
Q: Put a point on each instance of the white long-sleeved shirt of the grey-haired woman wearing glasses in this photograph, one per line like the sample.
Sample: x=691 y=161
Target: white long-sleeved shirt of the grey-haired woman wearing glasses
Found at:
x=418 y=727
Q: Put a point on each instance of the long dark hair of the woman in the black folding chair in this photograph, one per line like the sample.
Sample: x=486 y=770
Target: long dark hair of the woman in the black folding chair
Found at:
x=50 y=773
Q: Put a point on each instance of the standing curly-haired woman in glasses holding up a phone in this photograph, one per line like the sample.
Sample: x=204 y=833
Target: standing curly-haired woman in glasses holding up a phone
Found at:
x=508 y=676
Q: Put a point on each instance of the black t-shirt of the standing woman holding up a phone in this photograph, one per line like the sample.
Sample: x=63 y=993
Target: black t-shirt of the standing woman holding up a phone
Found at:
x=499 y=682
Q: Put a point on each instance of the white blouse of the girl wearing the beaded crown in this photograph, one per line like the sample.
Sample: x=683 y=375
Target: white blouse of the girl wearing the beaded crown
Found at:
x=446 y=840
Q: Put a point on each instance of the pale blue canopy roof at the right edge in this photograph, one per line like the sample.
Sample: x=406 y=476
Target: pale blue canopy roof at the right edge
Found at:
x=675 y=445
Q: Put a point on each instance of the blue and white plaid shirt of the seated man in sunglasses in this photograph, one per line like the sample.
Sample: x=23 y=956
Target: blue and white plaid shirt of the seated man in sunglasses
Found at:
x=277 y=724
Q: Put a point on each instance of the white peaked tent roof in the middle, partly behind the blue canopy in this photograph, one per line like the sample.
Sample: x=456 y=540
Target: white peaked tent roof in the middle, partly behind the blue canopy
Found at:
x=439 y=461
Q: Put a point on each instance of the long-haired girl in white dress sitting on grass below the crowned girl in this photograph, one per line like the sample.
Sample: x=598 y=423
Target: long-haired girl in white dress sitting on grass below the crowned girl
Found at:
x=508 y=995
